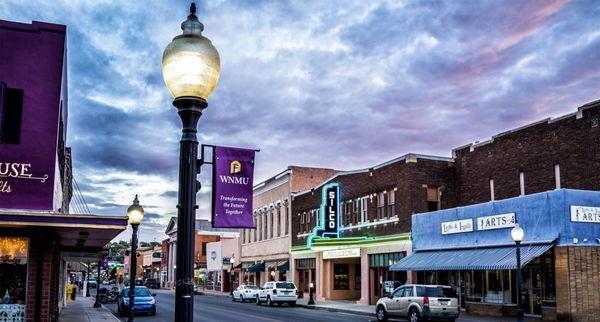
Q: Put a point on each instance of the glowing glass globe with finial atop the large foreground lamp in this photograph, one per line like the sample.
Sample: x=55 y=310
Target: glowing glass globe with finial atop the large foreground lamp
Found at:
x=190 y=63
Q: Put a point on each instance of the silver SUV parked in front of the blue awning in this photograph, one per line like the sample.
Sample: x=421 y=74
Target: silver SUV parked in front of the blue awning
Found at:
x=419 y=302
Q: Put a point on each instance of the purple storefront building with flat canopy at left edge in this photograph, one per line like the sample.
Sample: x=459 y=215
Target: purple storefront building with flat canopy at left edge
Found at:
x=38 y=235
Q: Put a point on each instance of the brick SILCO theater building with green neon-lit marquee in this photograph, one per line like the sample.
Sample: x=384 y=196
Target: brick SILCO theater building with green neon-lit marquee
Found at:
x=376 y=207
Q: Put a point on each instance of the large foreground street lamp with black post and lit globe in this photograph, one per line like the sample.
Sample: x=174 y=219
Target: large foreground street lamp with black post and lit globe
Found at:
x=190 y=67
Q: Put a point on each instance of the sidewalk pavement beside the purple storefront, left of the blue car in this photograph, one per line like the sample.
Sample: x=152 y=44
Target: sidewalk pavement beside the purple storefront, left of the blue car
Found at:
x=82 y=310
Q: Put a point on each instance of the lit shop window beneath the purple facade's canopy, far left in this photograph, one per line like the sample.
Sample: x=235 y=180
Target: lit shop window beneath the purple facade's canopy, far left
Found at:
x=13 y=277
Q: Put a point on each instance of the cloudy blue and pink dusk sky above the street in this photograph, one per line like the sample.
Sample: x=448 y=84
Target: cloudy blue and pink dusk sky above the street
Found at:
x=341 y=84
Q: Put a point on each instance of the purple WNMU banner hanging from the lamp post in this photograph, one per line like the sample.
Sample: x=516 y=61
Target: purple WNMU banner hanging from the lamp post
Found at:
x=233 y=173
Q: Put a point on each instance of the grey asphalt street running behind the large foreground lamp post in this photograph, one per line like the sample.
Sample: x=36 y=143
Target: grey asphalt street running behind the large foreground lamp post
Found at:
x=221 y=309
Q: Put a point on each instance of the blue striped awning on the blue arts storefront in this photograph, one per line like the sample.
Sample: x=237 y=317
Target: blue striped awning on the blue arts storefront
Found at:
x=470 y=259
